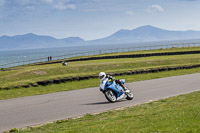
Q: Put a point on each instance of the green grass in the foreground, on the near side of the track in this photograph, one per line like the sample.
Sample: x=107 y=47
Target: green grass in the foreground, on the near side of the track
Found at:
x=179 y=114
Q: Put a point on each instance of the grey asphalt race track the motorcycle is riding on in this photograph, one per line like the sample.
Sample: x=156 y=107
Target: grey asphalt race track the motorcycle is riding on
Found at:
x=34 y=110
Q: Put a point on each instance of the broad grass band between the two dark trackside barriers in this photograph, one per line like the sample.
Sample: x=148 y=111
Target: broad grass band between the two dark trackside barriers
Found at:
x=32 y=74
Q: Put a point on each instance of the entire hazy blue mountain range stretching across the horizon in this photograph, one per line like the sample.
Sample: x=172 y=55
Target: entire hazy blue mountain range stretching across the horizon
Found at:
x=141 y=34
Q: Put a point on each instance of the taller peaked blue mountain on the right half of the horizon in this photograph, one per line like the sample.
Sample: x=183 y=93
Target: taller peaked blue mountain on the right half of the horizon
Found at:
x=146 y=34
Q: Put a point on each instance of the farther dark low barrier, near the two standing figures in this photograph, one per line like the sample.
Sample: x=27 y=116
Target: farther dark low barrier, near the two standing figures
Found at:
x=126 y=56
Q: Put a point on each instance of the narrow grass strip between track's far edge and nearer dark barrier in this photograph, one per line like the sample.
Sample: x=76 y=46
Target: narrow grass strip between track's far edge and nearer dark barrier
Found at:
x=21 y=92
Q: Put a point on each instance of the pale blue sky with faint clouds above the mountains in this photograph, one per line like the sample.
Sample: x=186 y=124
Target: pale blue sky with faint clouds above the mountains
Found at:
x=94 y=19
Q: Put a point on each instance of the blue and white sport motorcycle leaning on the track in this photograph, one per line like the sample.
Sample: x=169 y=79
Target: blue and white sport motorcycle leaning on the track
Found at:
x=115 y=91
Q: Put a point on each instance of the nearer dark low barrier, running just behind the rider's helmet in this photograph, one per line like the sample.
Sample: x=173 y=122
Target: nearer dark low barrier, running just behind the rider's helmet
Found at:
x=69 y=79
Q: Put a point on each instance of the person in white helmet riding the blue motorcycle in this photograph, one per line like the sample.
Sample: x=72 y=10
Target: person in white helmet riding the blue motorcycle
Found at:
x=107 y=78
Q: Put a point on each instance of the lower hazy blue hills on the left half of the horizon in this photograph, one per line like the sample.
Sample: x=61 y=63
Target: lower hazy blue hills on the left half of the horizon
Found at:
x=31 y=41
